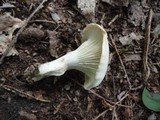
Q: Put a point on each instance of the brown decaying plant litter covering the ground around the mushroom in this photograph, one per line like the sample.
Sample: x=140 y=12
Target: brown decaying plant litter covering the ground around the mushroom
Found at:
x=53 y=30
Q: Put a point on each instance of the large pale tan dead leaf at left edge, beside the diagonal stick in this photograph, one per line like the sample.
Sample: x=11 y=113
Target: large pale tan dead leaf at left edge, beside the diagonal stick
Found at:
x=8 y=25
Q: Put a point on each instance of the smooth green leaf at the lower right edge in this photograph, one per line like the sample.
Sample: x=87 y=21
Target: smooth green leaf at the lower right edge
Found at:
x=151 y=100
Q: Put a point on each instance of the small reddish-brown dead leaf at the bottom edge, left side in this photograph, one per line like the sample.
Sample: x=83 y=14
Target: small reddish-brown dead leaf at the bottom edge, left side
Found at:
x=27 y=116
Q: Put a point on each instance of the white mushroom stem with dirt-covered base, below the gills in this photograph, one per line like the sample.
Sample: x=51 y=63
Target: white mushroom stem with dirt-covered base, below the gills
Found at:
x=56 y=67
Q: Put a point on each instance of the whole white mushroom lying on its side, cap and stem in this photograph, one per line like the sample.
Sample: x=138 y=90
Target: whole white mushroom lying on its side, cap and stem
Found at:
x=91 y=58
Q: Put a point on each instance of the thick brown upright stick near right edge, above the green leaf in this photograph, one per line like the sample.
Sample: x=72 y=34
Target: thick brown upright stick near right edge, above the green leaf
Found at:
x=146 y=69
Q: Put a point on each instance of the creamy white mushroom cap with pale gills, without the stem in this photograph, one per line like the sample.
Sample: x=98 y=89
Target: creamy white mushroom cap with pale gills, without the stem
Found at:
x=94 y=55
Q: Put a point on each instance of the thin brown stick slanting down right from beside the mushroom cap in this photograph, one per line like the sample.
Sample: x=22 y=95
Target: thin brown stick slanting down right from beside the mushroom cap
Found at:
x=124 y=69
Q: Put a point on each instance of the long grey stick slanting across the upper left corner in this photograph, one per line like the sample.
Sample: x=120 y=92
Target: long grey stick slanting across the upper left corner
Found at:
x=20 y=30
